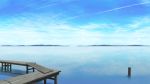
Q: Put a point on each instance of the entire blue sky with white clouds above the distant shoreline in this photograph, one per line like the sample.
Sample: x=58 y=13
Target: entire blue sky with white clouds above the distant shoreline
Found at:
x=75 y=22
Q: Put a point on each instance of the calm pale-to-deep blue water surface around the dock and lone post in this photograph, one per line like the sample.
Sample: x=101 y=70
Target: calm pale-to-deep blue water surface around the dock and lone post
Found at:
x=87 y=65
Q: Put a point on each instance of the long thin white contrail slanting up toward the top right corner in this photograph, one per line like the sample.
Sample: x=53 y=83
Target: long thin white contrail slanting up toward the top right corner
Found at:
x=110 y=10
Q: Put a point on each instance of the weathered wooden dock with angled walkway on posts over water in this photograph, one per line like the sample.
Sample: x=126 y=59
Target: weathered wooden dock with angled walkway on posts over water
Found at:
x=39 y=73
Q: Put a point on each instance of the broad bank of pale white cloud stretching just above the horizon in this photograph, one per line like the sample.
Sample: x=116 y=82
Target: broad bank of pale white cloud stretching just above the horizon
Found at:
x=51 y=31
